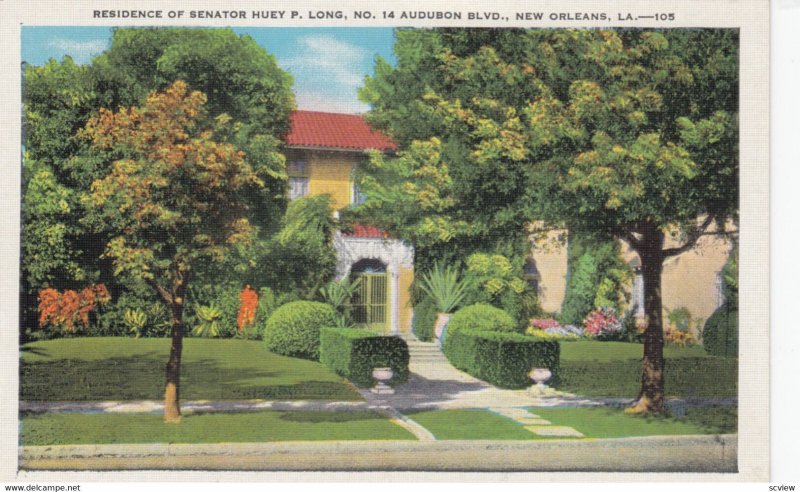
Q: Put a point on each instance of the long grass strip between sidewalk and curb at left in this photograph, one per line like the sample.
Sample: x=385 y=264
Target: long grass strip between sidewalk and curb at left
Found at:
x=56 y=429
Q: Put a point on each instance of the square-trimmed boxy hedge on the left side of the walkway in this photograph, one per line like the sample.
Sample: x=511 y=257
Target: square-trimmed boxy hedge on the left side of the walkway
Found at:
x=353 y=353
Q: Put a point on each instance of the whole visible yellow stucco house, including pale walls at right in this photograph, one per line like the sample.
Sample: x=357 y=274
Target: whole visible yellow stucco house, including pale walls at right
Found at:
x=324 y=149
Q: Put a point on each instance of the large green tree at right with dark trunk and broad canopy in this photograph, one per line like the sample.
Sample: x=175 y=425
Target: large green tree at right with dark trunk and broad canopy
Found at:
x=629 y=133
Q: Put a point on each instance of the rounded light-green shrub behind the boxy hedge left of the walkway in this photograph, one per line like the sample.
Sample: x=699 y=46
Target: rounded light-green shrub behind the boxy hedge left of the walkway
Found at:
x=293 y=329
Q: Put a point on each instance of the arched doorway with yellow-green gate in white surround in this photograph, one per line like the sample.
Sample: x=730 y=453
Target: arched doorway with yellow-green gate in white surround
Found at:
x=370 y=301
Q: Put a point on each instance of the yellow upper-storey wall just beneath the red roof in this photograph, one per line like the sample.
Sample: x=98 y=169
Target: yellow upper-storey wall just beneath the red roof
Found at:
x=331 y=174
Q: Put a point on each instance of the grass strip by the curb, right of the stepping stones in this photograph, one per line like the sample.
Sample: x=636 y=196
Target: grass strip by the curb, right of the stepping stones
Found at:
x=611 y=422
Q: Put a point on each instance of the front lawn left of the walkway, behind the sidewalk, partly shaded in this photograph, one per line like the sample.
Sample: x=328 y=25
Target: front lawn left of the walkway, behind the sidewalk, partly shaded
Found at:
x=116 y=368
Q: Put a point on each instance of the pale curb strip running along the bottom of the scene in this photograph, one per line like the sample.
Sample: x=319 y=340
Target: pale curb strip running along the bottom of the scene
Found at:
x=706 y=454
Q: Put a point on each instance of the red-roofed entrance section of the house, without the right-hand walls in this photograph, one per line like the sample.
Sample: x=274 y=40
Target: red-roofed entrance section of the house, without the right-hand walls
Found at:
x=322 y=152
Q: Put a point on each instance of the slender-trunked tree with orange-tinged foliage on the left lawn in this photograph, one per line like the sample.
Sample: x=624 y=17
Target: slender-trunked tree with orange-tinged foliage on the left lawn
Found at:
x=171 y=199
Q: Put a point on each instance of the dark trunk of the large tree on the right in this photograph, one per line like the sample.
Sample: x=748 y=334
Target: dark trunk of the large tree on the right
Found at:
x=651 y=394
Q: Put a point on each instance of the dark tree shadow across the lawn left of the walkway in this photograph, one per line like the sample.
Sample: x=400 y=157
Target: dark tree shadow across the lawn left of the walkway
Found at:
x=142 y=378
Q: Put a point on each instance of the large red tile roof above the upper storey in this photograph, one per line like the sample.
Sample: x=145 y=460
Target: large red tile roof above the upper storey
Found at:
x=334 y=130
